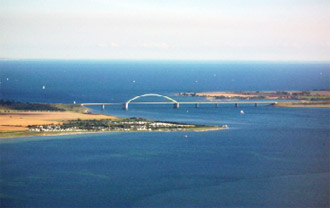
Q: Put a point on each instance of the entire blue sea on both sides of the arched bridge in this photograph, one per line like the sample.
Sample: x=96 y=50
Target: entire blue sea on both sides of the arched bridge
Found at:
x=269 y=156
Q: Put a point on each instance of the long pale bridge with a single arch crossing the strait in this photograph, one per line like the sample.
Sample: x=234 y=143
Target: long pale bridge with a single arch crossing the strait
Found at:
x=175 y=103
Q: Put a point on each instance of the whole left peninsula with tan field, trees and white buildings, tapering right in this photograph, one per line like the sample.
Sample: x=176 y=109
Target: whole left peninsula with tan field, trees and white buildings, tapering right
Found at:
x=34 y=119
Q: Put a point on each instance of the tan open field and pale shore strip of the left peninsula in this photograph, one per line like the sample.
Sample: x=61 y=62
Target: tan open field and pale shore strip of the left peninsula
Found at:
x=16 y=124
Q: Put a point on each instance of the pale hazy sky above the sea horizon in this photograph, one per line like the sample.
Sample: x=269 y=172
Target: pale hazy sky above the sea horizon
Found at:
x=165 y=29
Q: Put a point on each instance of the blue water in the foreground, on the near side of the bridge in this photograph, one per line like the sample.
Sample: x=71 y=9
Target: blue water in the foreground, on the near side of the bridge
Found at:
x=277 y=157
